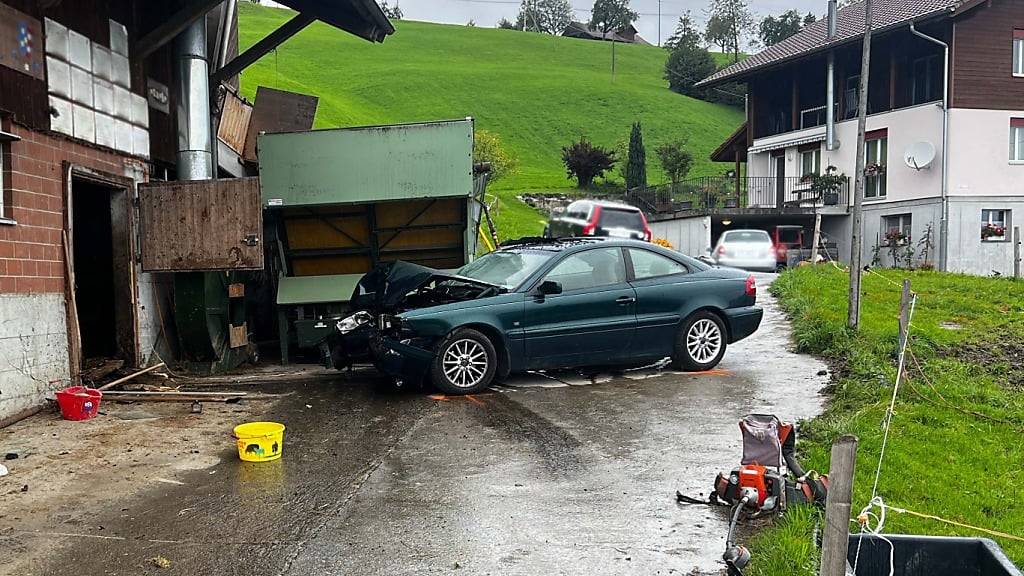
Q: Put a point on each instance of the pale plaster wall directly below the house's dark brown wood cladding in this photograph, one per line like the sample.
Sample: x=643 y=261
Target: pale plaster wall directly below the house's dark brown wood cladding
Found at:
x=979 y=147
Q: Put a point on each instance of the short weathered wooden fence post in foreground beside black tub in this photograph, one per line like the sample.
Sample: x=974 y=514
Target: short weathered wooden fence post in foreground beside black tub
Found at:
x=835 y=543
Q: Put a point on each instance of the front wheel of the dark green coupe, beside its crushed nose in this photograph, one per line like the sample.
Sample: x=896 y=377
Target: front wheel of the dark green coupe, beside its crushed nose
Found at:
x=465 y=363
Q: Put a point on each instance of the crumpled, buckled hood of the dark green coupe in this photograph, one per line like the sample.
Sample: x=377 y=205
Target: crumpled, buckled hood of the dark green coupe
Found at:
x=387 y=286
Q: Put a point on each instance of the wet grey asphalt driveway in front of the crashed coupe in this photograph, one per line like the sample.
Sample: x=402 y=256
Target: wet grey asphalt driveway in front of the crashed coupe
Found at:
x=565 y=476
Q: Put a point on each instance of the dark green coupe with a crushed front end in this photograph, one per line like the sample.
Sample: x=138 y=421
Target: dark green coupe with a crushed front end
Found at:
x=545 y=305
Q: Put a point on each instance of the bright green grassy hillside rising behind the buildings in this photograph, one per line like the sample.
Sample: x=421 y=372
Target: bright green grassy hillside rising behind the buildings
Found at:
x=537 y=93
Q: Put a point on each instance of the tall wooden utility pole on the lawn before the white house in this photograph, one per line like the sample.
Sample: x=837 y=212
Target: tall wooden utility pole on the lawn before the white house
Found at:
x=858 y=239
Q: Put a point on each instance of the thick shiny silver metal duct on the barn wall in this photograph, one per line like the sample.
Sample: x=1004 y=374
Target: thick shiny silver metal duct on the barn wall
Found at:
x=195 y=154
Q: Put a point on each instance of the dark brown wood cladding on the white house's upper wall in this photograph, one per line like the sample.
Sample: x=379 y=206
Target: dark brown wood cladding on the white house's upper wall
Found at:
x=983 y=59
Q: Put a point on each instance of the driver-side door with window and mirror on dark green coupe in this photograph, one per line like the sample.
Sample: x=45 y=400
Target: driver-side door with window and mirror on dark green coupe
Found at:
x=591 y=322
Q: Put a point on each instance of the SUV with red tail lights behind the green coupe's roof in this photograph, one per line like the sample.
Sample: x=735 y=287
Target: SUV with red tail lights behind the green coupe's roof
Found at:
x=590 y=218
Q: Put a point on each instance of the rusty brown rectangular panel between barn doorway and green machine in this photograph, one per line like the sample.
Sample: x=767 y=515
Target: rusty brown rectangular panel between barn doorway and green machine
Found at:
x=201 y=226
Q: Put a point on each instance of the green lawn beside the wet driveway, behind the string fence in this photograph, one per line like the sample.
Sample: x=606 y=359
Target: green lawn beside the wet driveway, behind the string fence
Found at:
x=955 y=450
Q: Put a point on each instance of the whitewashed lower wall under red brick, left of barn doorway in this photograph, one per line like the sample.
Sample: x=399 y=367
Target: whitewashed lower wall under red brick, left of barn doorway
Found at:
x=33 y=350
